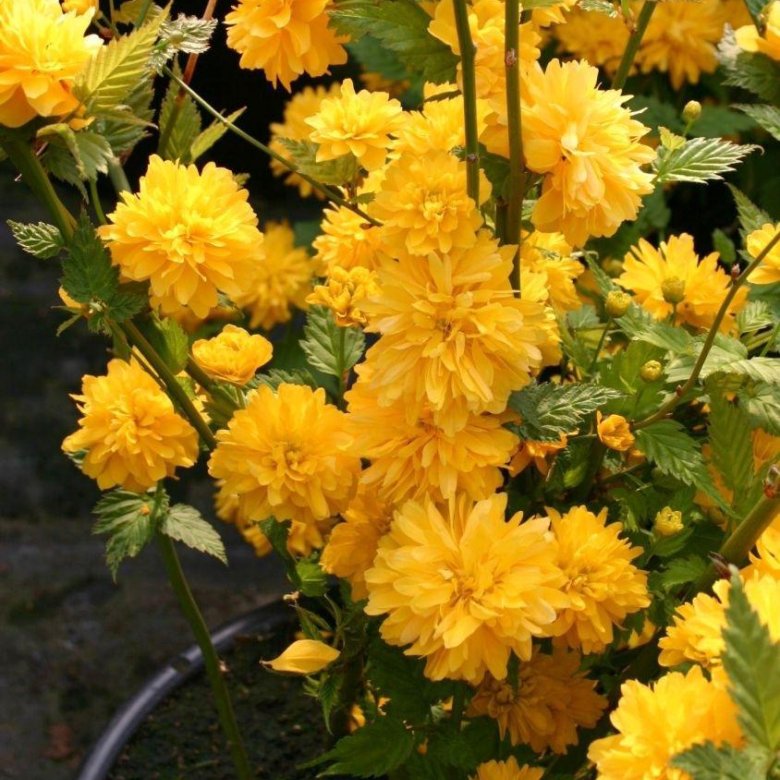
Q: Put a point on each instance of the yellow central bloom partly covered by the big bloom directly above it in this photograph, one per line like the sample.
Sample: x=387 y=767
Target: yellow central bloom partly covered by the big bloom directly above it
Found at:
x=411 y=459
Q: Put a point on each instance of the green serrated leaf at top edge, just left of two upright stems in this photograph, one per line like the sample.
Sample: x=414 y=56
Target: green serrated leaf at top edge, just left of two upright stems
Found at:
x=402 y=27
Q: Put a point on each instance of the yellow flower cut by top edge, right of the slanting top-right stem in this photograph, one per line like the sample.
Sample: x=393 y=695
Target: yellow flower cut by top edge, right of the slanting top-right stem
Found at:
x=682 y=40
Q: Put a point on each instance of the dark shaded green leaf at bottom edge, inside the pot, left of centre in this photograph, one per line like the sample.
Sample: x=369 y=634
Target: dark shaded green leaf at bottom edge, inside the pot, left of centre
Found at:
x=373 y=751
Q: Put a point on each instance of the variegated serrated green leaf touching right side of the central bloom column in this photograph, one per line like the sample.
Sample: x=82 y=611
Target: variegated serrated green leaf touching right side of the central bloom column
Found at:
x=547 y=410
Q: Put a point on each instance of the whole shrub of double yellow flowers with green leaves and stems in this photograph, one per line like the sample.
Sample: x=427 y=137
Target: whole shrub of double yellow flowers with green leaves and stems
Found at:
x=520 y=452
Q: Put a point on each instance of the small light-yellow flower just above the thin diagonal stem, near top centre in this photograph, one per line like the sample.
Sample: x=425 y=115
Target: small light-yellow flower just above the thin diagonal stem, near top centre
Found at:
x=356 y=123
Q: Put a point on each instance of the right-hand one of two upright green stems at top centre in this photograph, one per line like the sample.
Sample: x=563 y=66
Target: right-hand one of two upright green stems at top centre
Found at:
x=514 y=129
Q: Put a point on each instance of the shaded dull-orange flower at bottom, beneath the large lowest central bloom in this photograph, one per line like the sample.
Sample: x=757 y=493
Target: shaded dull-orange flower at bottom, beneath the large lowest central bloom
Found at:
x=553 y=698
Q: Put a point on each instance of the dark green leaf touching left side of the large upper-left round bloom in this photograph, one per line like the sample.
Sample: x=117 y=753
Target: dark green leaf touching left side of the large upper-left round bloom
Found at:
x=88 y=275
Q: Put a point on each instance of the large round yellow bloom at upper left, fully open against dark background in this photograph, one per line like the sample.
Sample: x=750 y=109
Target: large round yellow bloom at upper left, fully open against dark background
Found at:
x=191 y=234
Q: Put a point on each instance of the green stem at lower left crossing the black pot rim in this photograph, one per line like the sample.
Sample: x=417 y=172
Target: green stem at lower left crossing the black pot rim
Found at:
x=211 y=661
